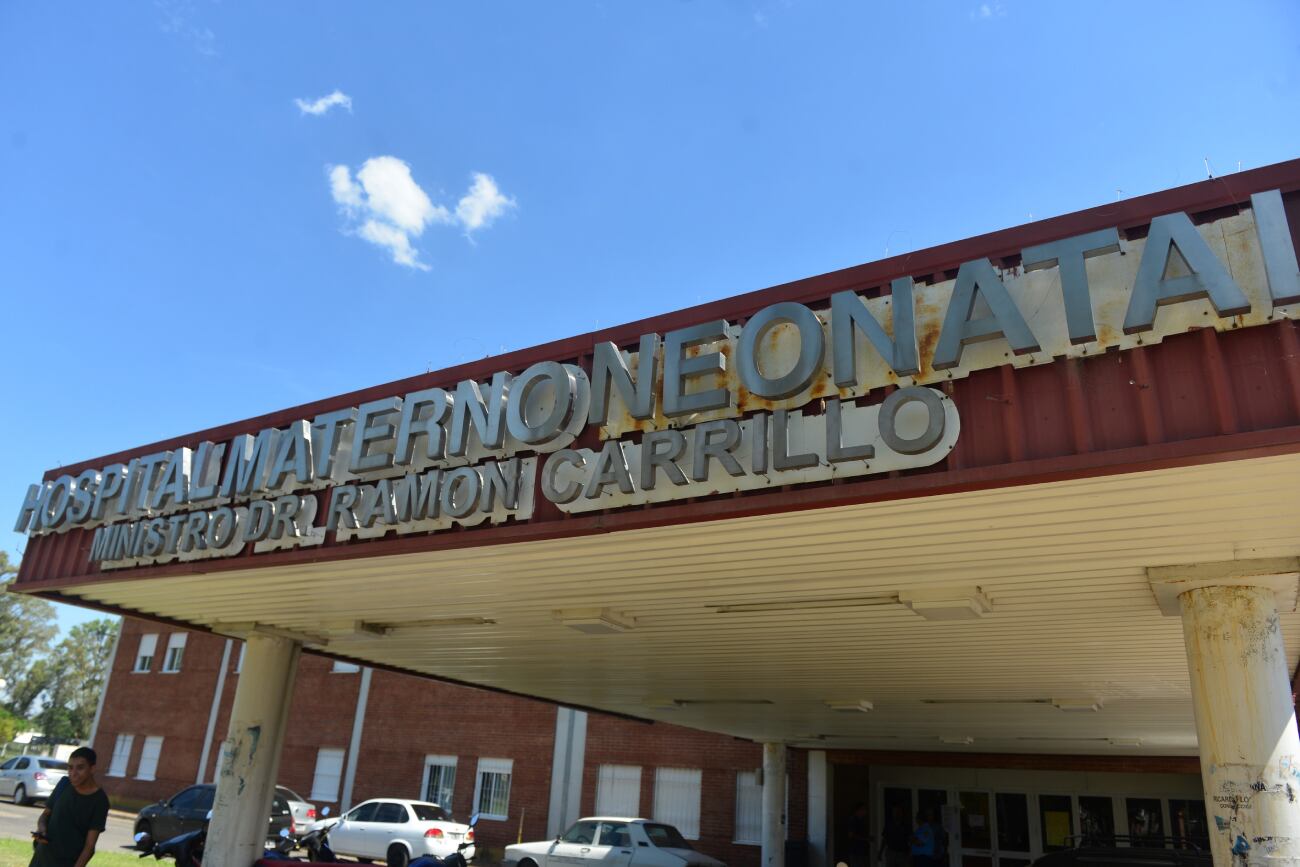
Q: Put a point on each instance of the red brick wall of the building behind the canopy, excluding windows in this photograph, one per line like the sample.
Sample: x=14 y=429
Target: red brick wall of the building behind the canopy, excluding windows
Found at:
x=409 y=718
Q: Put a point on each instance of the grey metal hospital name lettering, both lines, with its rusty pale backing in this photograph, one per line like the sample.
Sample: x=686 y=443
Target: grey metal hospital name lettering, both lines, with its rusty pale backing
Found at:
x=713 y=409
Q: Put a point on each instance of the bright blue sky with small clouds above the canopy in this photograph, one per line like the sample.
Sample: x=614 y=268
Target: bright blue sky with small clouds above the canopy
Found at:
x=183 y=245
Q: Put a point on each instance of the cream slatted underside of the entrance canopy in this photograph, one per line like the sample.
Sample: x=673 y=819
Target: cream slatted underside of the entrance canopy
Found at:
x=1064 y=565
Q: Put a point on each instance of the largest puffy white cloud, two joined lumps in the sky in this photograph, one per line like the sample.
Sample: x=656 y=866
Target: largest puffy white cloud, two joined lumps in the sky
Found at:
x=389 y=209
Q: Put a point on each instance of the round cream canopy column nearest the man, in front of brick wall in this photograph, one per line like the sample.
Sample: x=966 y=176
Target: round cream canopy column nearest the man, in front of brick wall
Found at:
x=250 y=756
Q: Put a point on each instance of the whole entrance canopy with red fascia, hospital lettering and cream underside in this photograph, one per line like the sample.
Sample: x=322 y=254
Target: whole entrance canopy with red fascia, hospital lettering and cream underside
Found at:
x=912 y=505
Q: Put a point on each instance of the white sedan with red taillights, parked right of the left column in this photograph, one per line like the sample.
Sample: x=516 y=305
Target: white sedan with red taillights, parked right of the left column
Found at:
x=397 y=831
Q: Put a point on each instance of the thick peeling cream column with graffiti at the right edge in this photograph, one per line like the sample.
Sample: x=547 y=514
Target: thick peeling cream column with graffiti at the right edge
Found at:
x=1245 y=723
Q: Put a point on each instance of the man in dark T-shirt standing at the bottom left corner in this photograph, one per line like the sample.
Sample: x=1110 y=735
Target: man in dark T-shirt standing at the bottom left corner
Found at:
x=75 y=816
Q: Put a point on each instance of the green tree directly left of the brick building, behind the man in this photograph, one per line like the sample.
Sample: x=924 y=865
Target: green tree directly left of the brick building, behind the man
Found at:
x=76 y=679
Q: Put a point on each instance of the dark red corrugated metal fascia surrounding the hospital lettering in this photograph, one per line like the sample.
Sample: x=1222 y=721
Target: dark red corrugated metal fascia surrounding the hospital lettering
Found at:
x=1194 y=398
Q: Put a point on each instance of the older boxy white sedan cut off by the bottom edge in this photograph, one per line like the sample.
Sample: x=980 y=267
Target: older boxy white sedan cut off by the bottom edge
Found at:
x=612 y=842
